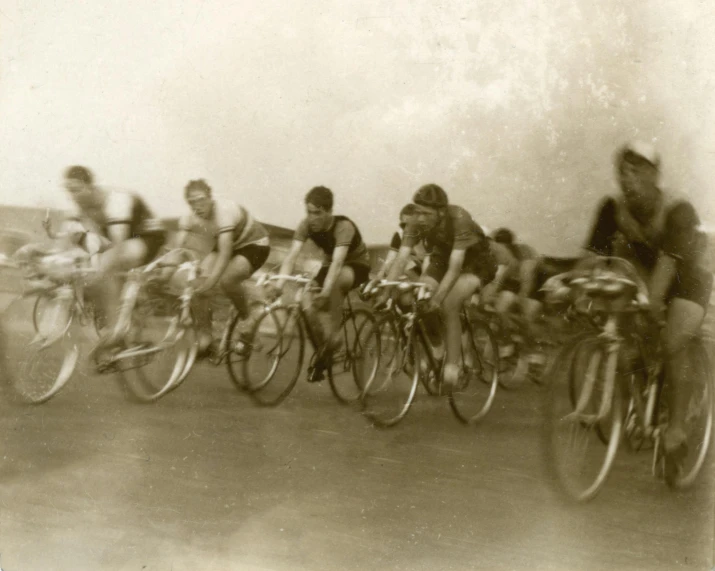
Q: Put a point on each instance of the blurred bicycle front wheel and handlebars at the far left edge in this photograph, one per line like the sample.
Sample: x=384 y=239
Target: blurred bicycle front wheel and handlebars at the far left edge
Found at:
x=40 y=343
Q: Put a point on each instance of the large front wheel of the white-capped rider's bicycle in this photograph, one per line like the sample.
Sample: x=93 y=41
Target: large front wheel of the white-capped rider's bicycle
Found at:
x=559 y=404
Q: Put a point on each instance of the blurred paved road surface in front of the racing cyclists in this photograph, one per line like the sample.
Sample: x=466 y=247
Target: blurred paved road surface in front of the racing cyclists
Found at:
x=206 y=480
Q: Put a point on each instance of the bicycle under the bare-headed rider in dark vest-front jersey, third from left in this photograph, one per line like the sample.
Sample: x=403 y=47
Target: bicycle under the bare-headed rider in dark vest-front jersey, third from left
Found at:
x=279 y=336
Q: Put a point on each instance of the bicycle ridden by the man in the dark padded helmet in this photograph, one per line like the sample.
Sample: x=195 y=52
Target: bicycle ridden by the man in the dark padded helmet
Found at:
x=387 y=399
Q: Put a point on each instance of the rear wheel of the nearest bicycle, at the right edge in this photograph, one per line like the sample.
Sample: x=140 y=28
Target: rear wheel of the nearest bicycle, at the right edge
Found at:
x=699 y=416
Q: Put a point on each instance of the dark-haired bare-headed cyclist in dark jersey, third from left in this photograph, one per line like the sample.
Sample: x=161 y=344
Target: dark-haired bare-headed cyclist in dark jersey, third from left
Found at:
x=346 y=265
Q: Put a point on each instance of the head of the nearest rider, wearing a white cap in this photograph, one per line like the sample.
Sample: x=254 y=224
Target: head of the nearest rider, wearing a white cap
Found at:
x=638 y=167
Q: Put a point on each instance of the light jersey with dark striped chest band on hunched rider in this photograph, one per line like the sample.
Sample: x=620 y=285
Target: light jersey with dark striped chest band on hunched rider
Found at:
x=226 y=217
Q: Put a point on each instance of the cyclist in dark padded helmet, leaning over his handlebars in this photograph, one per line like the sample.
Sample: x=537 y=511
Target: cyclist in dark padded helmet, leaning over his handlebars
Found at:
x=459 y=260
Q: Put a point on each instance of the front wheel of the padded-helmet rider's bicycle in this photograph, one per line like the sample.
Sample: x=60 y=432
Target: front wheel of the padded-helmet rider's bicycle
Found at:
x=387 y=397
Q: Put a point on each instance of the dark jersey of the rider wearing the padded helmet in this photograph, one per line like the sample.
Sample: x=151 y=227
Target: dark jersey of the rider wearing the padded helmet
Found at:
x=456 y=231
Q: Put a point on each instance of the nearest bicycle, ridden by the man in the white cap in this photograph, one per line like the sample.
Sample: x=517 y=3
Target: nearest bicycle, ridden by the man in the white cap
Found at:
x=609 y=381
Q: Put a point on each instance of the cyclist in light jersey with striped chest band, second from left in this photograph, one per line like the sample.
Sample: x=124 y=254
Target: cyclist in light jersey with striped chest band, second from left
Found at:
x=241 y=246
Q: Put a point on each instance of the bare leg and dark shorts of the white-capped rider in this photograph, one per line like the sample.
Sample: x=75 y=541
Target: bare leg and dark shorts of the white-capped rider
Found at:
x=689 y=298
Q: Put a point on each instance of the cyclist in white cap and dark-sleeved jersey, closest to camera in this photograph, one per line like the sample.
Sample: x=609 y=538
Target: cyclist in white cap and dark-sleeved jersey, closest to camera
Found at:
x=659 y=233
